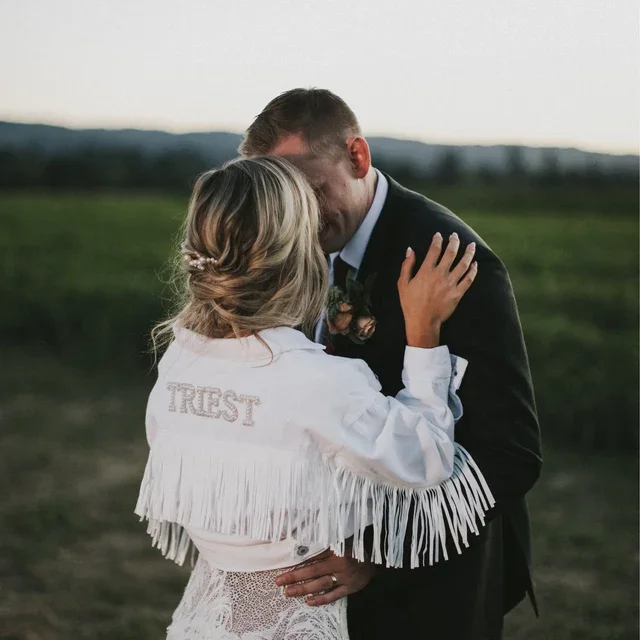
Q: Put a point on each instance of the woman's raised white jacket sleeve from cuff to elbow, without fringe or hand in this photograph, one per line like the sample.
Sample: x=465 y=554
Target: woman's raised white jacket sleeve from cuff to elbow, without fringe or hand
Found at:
x=406 y=440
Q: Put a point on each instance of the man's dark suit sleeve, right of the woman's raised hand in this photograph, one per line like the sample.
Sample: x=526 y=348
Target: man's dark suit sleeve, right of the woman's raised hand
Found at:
x=499 y=427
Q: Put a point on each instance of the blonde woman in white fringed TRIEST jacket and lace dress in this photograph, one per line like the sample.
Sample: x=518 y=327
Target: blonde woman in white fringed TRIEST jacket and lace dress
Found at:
x=264 y=450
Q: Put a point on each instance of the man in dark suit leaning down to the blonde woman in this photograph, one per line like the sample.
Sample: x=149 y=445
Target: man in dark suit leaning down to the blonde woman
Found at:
x=369 y=221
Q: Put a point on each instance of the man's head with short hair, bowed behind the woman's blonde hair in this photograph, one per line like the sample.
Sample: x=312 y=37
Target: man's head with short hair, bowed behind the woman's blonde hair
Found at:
x=318 y=132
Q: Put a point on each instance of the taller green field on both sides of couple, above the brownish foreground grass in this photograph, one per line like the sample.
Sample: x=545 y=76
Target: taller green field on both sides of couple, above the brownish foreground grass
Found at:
x=83 y=276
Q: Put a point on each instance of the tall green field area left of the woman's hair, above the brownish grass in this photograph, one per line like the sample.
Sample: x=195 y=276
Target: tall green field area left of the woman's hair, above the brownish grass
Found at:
x=84 y=273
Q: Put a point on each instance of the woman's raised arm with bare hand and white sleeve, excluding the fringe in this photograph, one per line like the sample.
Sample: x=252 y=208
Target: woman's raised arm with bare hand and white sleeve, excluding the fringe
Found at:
x=407 y=441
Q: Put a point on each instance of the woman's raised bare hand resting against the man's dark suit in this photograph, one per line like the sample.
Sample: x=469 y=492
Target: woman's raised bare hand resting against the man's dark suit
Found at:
x=431 y=296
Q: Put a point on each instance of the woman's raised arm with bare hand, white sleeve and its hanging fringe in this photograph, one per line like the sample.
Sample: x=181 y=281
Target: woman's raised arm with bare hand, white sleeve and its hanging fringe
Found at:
x=392 y=456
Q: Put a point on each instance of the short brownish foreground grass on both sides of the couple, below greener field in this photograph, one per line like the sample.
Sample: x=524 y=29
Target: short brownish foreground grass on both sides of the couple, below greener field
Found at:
x=75 y=563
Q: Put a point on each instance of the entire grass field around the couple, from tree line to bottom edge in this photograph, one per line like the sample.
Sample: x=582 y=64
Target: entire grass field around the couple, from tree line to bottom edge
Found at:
x=82 y=283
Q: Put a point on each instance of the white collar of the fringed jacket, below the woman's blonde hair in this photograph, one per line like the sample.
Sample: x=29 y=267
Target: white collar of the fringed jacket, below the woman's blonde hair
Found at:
x=279 y=340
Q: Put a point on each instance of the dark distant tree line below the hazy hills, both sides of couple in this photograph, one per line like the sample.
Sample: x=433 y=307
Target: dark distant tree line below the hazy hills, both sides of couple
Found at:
x=93 y=168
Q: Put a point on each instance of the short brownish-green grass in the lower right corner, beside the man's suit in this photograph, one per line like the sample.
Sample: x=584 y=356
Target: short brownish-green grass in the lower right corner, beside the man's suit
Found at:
x=585 y=543
